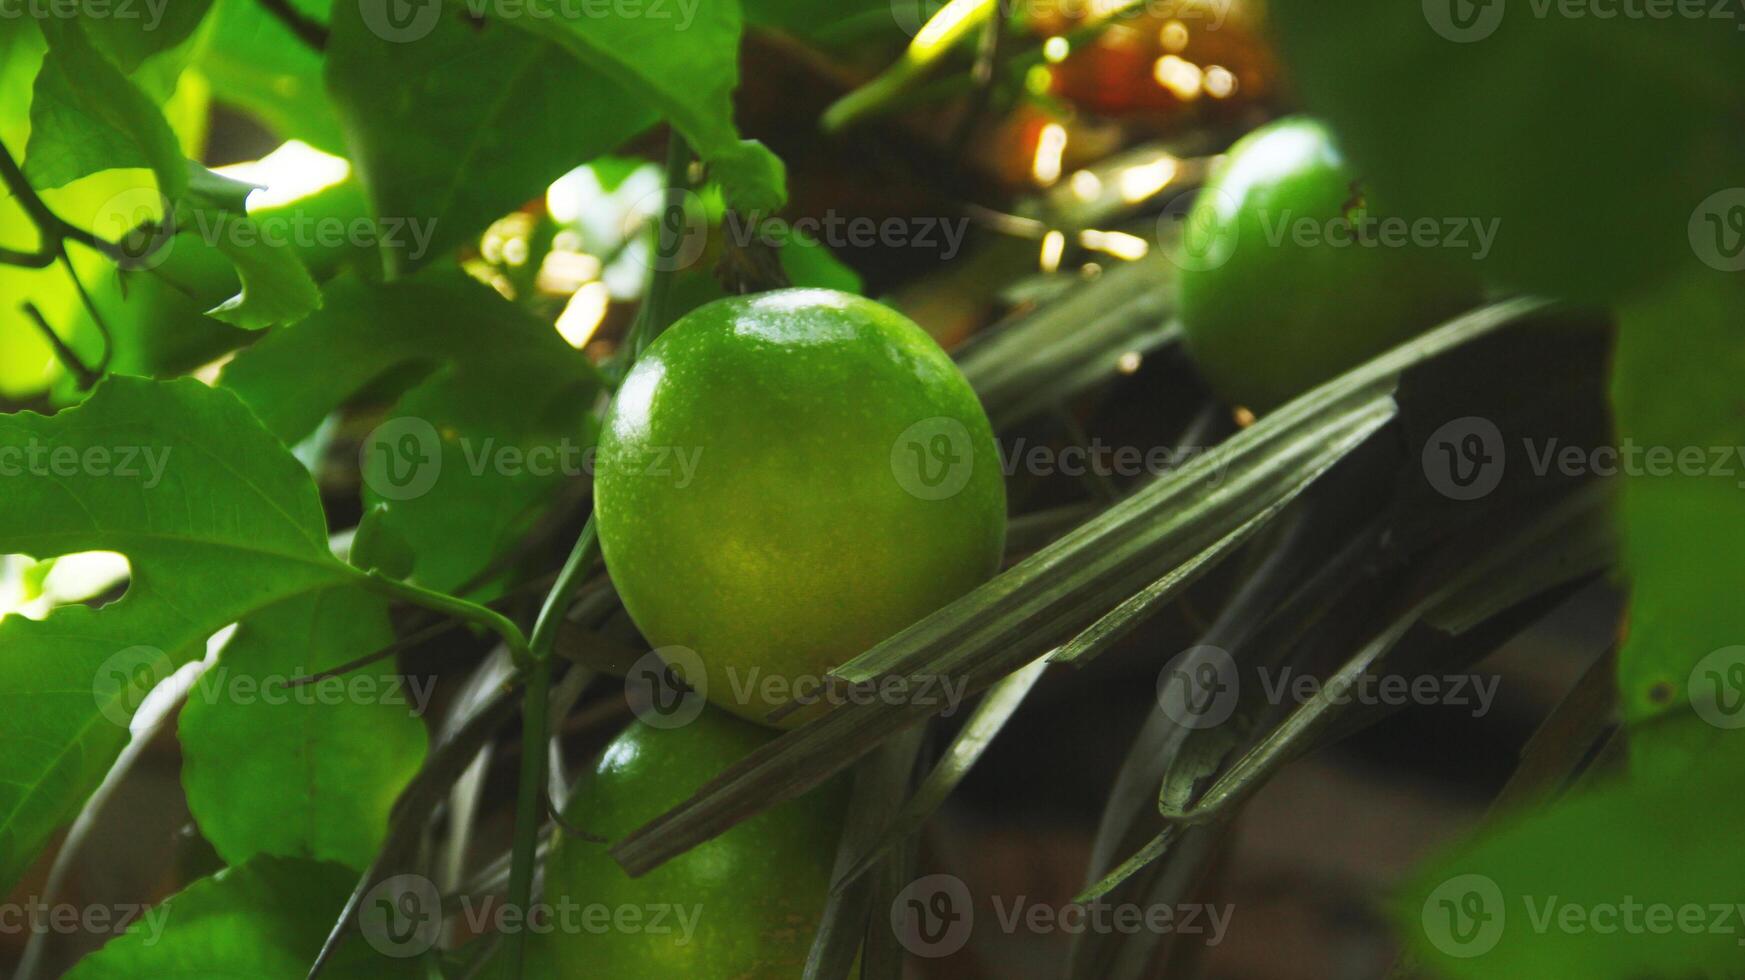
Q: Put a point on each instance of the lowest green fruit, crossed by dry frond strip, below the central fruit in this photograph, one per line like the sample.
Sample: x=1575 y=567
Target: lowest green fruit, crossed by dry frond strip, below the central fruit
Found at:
x=755 y=894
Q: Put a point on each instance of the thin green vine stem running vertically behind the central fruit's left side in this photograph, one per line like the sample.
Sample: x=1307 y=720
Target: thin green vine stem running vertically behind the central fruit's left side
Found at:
x=531 y=791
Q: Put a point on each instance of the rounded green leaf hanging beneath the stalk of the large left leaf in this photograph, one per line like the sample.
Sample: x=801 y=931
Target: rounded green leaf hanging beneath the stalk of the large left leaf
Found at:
x=324 y=763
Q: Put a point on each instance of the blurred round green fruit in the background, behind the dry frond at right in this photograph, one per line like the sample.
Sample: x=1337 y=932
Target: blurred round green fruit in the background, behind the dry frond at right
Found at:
x=1268 y=316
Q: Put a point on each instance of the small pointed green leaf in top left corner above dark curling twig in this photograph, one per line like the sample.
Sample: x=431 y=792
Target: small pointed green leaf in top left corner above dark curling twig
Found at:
x=88 y=118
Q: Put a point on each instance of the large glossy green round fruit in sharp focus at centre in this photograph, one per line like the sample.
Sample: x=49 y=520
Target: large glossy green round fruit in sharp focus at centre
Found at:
x=845 y=484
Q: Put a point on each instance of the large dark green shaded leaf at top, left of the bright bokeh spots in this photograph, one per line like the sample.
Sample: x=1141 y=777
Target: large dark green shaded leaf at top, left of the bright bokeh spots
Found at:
x=467 y=125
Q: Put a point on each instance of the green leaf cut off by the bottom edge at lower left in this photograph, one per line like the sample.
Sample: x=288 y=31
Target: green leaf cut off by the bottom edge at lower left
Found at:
x=264 y=922
